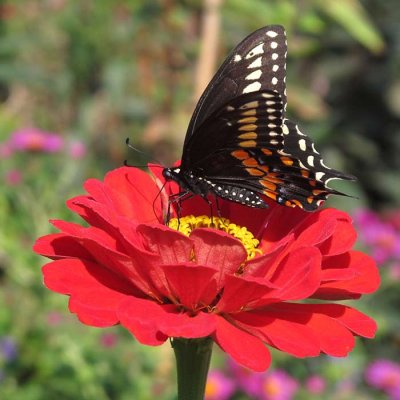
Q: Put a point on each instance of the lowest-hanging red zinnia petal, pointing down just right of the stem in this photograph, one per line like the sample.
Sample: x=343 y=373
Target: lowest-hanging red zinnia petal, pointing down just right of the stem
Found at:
x=243 y=347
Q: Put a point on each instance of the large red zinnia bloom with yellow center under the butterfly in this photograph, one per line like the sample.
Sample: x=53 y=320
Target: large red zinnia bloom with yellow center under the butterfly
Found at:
x=128 y=268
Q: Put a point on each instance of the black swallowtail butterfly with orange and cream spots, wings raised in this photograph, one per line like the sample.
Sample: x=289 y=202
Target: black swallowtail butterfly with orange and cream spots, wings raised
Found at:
x=239 y=146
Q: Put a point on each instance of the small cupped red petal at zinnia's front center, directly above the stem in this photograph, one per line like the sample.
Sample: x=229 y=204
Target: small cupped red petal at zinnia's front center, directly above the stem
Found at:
x=191 y=285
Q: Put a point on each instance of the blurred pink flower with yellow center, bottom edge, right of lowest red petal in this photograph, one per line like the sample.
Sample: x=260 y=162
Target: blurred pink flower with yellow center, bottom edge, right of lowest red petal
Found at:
x=278 y=385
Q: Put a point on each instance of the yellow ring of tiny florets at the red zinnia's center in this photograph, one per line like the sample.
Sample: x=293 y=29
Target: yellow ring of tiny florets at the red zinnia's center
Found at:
x=187 y=224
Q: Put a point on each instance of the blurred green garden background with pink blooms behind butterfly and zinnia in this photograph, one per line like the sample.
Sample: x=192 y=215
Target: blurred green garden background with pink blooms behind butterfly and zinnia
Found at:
x=78 y=77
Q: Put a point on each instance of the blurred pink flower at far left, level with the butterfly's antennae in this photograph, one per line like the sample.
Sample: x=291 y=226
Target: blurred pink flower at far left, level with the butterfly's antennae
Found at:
x=33 y=139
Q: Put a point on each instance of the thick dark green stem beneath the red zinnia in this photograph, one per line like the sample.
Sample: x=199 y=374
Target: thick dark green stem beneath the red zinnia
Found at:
x=193 y=361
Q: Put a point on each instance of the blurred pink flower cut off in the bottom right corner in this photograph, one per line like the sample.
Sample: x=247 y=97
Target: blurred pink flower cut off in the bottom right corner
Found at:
x=385 y=375
